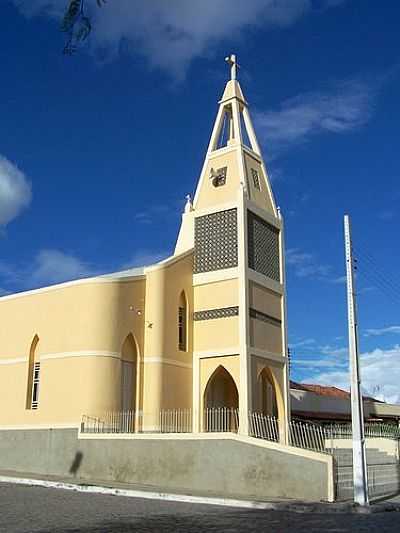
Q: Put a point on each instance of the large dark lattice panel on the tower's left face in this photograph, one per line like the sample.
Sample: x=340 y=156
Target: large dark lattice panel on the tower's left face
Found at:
x=216 y=245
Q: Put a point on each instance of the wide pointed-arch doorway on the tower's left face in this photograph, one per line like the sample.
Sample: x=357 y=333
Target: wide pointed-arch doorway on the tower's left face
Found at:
x=221 y=402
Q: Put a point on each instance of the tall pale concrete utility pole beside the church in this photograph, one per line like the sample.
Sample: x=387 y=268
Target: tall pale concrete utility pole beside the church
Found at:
x=360 y=475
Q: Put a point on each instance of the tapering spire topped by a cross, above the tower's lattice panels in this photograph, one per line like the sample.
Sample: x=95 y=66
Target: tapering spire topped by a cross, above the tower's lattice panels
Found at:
x=233 y=165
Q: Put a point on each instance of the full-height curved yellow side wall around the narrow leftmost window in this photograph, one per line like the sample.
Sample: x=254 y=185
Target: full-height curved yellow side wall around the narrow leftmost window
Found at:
x=81 y=329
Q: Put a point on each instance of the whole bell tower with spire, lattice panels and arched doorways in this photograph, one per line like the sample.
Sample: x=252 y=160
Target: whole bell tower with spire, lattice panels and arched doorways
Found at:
x=239 y=315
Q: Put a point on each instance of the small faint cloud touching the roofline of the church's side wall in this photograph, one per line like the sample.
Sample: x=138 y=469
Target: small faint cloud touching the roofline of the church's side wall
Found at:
x=54 y=266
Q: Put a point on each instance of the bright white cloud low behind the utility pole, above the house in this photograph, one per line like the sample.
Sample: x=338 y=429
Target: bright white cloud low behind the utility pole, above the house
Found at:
x=380 y=371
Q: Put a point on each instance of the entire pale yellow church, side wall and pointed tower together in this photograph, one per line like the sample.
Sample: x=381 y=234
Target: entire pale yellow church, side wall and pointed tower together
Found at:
x=204 y=329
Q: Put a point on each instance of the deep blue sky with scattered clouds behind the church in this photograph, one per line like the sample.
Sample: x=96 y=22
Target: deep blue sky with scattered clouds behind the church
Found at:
x=98 y=150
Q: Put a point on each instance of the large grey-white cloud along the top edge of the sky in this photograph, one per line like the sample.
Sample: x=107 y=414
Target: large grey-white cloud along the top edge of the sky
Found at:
x=170 y=34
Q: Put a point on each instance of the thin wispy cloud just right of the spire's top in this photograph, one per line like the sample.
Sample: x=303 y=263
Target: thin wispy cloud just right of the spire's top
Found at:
x=345 y=107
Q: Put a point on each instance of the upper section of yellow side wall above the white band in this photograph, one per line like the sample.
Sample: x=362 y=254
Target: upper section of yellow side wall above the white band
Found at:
x=85 y=316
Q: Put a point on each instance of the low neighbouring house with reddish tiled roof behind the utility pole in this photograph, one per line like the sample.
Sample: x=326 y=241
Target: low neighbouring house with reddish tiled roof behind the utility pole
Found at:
x=326 y=405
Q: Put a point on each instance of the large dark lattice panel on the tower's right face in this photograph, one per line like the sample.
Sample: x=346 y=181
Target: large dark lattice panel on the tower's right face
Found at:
x=263 y=247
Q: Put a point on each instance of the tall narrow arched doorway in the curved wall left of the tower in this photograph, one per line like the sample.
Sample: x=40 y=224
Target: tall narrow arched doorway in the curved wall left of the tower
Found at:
x=129 y=359
